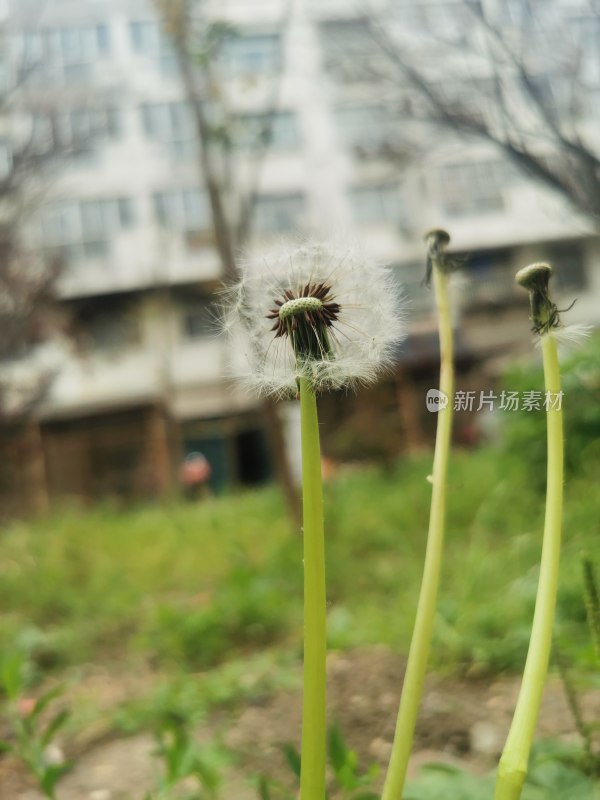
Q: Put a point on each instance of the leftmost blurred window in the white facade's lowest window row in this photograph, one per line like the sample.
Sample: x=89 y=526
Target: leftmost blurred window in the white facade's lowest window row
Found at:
x=85 y=228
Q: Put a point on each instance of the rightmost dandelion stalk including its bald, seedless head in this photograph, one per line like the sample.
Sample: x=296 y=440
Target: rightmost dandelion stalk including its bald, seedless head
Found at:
x=512 y=769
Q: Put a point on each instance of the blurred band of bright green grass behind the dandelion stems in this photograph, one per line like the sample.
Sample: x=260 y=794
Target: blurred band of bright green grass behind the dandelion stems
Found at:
x=191 y=586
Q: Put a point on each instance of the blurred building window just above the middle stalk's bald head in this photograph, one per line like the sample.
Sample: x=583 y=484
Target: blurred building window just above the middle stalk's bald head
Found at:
x=472 y=188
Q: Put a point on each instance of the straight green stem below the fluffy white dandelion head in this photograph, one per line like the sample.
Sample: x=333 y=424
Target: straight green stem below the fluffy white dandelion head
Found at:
x=312 y=777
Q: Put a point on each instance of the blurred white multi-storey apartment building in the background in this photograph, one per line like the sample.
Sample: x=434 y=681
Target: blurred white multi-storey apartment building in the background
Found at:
x=140 y=381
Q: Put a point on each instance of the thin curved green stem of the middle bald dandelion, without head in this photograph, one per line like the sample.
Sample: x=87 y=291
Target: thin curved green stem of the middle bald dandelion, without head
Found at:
x=416 y=667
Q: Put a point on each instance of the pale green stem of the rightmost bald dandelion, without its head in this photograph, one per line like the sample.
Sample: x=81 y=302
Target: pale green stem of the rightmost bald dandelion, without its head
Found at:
x=512 y=769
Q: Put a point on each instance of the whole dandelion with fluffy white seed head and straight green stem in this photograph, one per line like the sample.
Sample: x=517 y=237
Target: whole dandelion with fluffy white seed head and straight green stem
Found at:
x=309 y=321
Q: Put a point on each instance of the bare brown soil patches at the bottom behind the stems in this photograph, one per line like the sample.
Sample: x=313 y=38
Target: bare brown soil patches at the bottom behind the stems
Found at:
x=462 y=721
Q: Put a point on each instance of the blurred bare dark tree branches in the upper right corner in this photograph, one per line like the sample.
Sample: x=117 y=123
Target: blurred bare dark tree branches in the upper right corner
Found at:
x=516 y=115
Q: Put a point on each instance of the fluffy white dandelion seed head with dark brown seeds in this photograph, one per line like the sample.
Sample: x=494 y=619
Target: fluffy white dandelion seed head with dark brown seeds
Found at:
x=317 y=311
